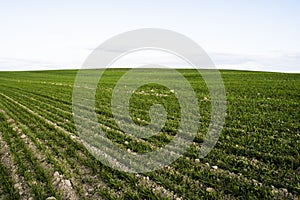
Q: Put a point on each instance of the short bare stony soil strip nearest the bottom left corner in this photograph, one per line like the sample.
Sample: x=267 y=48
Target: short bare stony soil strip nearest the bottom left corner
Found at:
x=19 y=182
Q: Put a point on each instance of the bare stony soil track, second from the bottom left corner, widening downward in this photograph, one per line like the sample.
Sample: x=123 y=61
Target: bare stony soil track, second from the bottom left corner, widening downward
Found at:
x=58 y=181
